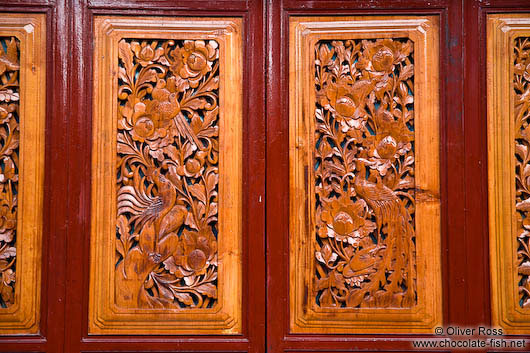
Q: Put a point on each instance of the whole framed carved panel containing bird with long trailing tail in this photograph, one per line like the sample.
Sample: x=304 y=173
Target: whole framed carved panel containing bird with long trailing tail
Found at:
x=365 y=204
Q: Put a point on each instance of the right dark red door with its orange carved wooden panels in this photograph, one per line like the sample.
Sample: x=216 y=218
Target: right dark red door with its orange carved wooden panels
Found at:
x=379 y=255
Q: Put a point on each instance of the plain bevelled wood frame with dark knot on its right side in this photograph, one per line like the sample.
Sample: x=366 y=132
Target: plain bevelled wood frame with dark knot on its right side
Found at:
x=305 y=32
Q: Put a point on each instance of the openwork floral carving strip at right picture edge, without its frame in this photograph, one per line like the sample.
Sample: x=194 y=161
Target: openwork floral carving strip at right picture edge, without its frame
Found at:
x=522 y=164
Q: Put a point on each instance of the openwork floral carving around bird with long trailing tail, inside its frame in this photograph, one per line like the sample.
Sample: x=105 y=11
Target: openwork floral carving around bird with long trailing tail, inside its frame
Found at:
x=364 y=174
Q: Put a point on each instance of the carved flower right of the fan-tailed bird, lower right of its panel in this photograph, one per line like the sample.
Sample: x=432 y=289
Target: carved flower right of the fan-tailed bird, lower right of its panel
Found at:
x=196 y=251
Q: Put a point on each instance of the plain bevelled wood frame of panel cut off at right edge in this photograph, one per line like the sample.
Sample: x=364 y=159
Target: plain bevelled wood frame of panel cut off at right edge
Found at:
x=502 y=31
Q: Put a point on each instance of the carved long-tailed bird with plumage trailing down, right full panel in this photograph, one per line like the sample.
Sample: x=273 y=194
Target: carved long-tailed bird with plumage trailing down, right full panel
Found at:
x=390 y=211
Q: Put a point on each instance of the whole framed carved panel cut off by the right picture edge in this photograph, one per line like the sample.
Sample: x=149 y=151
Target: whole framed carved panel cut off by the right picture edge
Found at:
x=509 y=169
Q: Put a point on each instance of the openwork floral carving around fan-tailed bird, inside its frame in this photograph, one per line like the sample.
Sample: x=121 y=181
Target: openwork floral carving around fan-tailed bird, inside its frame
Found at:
x=167 y=174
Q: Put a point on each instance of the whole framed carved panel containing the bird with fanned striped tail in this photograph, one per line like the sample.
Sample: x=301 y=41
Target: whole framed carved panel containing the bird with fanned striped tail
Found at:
x=166 y=226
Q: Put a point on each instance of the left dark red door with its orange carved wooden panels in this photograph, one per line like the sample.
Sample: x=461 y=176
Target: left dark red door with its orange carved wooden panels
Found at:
x=140 y=250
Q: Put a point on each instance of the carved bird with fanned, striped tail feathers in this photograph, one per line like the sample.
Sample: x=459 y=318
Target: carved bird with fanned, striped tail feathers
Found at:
x=161 y=210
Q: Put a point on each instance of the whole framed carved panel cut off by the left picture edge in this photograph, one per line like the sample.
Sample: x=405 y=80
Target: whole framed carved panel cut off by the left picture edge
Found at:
x=22 y=99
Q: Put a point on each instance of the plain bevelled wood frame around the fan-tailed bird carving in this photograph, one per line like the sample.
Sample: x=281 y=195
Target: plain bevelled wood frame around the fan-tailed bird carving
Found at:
x=225 y=317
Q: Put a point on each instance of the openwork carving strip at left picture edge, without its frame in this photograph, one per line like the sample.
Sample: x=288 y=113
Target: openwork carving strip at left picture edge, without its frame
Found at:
x=9 y=142
